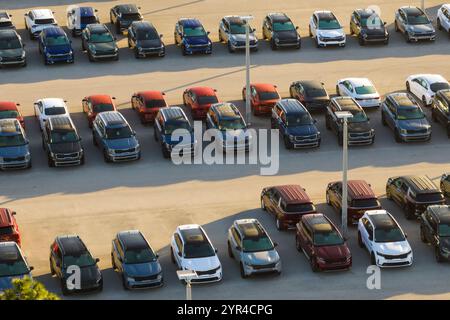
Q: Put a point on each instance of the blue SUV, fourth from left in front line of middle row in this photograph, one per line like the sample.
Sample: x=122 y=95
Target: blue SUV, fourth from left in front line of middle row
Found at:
x=167 y=121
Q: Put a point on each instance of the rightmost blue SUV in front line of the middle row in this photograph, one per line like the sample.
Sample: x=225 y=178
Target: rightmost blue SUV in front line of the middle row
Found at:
x=405 y=117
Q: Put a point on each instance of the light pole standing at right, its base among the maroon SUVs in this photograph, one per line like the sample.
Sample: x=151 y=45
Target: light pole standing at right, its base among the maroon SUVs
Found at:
x=344 y=115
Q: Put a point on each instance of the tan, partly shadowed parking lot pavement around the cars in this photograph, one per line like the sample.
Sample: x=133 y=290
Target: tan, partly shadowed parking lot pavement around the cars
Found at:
x=98 y=199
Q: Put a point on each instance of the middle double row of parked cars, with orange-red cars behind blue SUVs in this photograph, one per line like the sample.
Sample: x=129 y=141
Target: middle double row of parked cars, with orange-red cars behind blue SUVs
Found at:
x=400 y=111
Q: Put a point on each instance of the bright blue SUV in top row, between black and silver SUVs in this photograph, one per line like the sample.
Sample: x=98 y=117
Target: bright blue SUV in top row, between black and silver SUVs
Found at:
x=192 y=37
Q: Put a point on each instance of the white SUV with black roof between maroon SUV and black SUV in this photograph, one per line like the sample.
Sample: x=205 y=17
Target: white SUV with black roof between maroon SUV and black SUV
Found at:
x=385 y=240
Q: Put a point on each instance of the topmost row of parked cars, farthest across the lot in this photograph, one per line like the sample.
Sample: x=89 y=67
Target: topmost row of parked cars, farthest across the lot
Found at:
x=99 y=43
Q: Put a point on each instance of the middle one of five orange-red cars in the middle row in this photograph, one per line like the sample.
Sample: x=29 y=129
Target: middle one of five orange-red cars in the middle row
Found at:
x=147 y=104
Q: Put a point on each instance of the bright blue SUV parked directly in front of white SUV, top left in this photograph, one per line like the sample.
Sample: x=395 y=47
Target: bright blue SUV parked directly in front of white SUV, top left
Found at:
x=55 y=46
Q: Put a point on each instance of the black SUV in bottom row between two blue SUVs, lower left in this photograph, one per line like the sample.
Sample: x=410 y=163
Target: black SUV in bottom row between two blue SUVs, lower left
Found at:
x=69 y=254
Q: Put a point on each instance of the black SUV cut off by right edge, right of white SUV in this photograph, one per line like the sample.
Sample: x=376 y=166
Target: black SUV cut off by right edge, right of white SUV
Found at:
x=435 y=230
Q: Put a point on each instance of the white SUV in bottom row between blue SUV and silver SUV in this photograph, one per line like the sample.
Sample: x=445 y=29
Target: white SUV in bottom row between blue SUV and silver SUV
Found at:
x=192 y=250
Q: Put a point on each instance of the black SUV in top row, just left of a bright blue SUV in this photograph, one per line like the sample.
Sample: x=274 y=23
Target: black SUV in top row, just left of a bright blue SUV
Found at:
x=144 y=39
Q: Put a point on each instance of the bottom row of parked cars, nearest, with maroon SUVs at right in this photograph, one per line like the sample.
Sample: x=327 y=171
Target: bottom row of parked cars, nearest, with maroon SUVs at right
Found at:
x=249 y=243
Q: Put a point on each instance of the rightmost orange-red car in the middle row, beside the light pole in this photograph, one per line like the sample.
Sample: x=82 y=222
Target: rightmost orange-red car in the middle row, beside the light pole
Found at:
x=263 y=97
